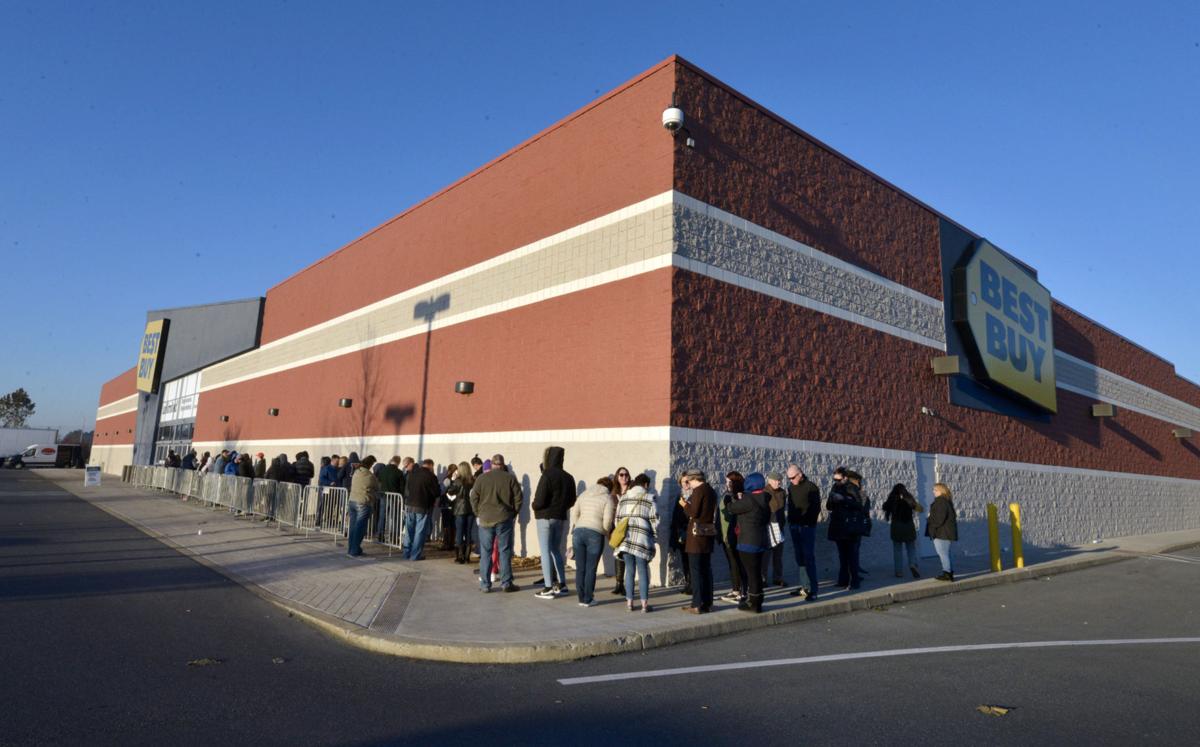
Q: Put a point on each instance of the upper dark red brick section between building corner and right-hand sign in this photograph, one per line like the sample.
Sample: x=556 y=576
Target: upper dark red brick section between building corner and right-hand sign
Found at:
x=755 y=166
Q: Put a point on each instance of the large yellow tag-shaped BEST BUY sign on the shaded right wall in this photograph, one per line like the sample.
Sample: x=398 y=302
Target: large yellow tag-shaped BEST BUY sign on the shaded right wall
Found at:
x=1004 y=314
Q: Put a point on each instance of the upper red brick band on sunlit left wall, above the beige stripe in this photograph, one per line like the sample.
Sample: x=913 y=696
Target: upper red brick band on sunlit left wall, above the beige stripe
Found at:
x=604 y=158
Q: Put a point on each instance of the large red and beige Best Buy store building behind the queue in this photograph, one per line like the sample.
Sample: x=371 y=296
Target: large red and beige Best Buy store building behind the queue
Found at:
x=622 y=291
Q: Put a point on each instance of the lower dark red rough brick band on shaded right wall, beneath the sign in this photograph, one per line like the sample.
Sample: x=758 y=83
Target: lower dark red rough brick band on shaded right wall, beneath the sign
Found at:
x=841 y=383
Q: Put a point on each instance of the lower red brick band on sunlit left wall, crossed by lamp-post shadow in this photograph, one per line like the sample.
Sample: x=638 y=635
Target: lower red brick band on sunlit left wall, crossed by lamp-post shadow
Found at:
x=597 y=358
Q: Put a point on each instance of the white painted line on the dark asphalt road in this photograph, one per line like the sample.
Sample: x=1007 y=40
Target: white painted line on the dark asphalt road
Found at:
x=872 y=655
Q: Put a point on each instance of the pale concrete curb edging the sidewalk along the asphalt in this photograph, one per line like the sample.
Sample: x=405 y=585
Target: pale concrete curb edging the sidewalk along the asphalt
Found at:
x=568 y=650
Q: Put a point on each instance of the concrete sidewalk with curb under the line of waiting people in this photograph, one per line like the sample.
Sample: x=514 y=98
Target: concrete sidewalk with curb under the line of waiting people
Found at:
x=434 y=609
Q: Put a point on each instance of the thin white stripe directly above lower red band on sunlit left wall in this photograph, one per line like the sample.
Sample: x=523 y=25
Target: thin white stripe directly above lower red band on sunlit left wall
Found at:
x=614 y=276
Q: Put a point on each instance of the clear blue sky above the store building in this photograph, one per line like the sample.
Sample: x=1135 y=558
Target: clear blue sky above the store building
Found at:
x=169 y=154
